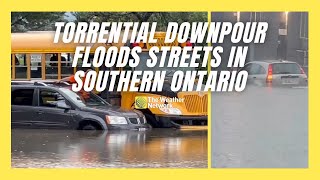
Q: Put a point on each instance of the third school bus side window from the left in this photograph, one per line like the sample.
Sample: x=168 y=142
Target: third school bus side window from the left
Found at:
x=51 y=66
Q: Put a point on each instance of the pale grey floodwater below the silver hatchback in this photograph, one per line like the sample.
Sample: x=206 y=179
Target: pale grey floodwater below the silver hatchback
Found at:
x=262 y=127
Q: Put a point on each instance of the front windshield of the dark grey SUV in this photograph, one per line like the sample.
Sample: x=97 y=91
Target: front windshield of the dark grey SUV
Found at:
x=83 y=98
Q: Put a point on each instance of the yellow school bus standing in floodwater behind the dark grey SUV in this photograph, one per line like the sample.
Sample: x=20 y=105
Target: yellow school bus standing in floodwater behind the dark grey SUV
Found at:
x=34 y=56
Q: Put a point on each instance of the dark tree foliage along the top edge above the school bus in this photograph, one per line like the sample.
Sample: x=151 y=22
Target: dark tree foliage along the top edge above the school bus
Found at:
x=44 y=21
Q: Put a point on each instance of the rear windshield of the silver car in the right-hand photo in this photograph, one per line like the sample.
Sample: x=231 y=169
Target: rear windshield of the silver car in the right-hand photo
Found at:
x=286 y=68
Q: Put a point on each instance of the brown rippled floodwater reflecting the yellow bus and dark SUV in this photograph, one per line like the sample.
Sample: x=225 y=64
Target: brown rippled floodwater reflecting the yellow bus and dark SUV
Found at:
x=156 y=148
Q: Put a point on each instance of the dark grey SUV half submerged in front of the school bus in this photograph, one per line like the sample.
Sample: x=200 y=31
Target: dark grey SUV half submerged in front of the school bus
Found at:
x=55 y=105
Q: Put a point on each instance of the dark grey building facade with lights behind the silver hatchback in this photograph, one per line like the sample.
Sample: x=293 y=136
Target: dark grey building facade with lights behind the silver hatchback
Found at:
x=287 y=35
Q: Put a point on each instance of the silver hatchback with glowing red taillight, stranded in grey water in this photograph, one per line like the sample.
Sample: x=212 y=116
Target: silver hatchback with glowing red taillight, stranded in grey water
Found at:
x=275 y=72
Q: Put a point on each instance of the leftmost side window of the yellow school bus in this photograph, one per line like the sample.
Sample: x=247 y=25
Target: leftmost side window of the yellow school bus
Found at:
x=21 y=67
